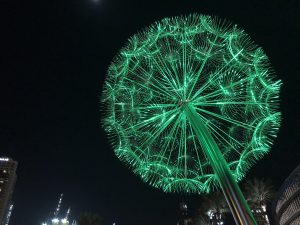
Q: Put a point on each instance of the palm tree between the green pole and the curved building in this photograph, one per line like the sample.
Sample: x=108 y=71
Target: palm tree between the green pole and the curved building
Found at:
x=258 y=193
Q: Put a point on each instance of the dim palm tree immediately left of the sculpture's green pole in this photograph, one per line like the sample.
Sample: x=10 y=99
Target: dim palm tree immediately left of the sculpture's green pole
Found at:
x=212 y=210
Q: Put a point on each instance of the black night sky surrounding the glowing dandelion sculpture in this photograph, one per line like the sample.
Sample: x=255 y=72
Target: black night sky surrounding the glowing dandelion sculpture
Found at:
x=54 y=56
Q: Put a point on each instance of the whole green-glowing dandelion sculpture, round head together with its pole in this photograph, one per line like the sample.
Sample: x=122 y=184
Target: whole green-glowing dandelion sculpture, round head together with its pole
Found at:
x=191 y=103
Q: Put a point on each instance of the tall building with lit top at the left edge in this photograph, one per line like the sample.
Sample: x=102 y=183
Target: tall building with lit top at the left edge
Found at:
x=8 y=179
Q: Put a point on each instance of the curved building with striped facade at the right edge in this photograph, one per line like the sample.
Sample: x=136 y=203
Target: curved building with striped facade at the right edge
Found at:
x=287 y=206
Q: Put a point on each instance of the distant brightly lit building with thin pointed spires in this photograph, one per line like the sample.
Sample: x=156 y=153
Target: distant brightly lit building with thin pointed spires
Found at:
x=57 y=219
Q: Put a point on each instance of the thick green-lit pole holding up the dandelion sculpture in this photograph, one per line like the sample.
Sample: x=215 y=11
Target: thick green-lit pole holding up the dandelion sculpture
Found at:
x=234 y=197
